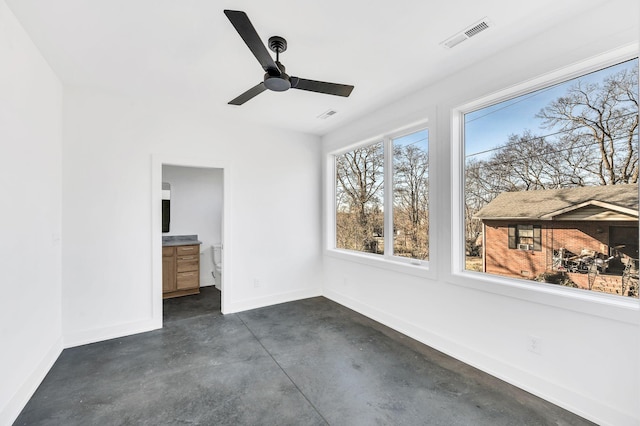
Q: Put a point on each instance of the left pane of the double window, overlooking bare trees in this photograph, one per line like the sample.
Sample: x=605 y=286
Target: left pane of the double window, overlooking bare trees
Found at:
x=359 y=199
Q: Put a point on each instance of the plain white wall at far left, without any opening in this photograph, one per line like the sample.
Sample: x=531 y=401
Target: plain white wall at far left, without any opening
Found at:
x=30 y=176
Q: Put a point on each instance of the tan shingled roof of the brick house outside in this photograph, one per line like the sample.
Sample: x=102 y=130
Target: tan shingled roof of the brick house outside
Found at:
x=541 y=204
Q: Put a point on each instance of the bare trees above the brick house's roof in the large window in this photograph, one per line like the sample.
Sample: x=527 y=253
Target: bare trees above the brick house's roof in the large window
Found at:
x=592 y=141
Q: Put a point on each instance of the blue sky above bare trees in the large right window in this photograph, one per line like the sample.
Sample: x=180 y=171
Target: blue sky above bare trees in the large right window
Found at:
x=491 y=127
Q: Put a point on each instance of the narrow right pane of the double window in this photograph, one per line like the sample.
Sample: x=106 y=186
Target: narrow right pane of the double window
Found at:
x=411 y=195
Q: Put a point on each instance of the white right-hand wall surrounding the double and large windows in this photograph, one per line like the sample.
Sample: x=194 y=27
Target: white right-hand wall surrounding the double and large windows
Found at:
x=590 y=345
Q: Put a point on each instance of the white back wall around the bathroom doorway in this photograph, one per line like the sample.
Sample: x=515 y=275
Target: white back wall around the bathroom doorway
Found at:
x=109 y=262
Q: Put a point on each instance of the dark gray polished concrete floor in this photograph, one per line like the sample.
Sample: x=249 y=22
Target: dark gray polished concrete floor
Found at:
x=310 y=362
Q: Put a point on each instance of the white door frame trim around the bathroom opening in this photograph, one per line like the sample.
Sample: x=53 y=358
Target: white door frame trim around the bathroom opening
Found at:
x=157 y=161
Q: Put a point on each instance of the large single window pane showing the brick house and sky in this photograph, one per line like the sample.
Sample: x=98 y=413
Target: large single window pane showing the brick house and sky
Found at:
x=551 y=184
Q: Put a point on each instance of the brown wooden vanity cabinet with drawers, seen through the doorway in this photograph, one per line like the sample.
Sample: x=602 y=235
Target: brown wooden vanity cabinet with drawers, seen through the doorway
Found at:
x=180 y=270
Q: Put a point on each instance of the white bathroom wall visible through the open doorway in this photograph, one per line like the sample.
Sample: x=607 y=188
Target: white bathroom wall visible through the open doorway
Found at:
x=196 y=208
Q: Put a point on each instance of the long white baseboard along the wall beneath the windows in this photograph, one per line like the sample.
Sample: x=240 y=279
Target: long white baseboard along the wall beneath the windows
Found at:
x=548 y=390
